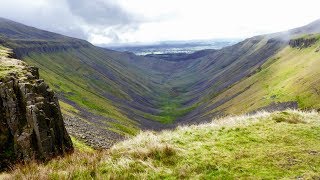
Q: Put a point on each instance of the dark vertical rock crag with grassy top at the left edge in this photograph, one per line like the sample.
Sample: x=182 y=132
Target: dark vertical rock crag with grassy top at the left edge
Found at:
x=31 y=124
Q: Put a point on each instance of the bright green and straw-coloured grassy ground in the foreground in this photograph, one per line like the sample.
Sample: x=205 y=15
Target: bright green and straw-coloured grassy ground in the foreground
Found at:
x=265 y=145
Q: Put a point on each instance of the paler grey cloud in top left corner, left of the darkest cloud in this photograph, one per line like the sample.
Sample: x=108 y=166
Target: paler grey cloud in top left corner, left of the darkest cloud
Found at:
x=53 y=15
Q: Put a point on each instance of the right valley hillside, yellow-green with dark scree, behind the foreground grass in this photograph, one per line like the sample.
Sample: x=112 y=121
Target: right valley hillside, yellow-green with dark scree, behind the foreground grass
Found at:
x=274 y=60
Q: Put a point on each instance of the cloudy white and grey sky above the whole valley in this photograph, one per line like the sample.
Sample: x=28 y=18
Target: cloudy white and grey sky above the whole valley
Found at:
x=145 y=21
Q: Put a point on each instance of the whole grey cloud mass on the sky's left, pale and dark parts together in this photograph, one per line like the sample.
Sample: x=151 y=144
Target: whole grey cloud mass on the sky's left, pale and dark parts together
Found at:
x=76 y=18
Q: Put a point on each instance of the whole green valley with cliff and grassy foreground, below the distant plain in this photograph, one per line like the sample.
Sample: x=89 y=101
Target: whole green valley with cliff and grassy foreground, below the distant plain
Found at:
x=248 y=110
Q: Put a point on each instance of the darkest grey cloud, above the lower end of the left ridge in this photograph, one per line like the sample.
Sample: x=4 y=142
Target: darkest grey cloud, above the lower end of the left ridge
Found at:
x=105 y=17
